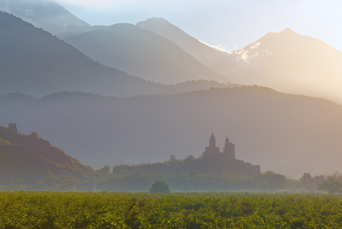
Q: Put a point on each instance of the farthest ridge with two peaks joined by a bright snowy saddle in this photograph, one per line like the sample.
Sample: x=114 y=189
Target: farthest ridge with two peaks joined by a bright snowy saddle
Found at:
x=285 y=61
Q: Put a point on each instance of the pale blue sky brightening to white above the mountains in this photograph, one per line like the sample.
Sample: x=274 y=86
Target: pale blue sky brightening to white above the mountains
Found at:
x=229 y=24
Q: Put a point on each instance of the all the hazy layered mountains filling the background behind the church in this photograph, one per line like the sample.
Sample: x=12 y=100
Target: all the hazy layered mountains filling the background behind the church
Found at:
x=269 y=128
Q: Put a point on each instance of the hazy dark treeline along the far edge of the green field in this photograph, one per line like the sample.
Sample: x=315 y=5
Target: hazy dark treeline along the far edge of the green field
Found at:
x=127 y=178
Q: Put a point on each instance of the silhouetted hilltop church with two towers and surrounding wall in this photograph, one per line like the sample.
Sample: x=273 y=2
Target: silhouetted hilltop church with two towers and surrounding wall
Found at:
x=226 y=161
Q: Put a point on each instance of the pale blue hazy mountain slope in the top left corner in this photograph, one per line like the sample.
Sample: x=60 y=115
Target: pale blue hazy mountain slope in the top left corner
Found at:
x=45 y=14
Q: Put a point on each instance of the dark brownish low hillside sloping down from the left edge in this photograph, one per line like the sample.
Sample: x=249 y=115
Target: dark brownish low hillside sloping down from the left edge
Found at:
x=30 y=158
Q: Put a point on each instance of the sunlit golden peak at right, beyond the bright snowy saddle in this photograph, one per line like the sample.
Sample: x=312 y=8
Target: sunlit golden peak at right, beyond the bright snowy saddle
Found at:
x=294 y=63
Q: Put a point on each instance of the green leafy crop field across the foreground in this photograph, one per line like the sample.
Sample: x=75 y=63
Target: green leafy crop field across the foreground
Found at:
x=177 y=210
